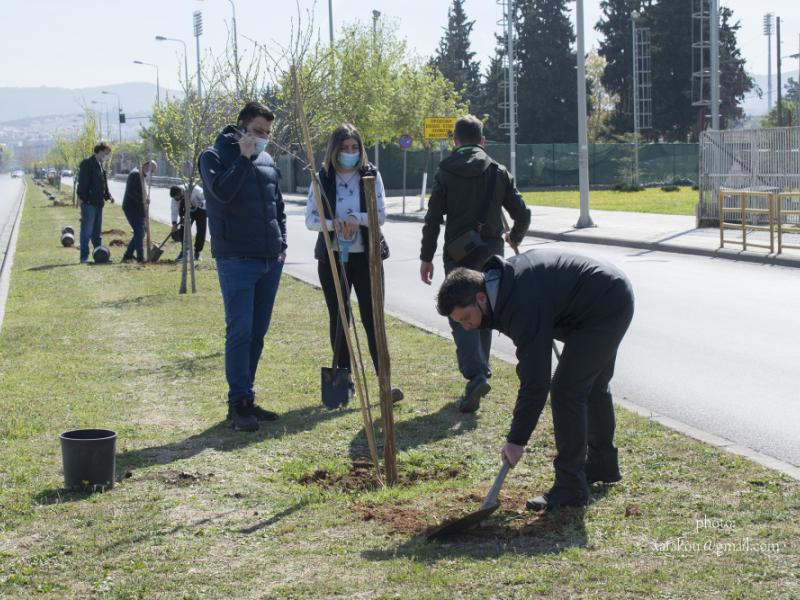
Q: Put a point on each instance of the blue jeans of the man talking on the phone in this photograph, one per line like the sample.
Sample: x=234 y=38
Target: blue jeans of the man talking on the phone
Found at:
x=248 y=287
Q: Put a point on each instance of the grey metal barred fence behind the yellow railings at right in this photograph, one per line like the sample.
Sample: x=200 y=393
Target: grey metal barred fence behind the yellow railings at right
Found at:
x=758 y=160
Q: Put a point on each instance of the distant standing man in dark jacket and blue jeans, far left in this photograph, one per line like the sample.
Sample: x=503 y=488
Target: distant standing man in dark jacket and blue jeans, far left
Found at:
x=92 y=194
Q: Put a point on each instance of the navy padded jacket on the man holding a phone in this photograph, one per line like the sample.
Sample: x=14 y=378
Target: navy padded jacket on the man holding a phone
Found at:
x=244 y=203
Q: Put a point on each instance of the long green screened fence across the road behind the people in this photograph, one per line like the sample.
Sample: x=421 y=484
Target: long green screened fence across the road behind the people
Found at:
x=538 y=165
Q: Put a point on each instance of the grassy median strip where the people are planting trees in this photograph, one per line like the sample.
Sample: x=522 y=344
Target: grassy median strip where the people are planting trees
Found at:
x=209 y=513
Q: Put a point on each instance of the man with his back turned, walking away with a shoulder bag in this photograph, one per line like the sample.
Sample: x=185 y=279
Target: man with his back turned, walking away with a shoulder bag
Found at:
x=460 y=193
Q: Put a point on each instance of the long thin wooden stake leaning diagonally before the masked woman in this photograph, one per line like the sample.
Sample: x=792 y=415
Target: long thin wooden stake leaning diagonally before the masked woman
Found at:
x=309 y=149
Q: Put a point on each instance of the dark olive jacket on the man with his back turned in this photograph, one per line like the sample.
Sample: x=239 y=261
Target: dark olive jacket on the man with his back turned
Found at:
x=459 y=193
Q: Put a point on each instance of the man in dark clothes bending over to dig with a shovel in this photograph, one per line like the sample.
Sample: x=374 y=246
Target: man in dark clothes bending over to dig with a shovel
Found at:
x=534 y=298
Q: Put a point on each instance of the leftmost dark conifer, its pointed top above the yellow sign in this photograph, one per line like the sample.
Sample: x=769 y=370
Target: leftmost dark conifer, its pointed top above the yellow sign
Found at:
x=454 y=58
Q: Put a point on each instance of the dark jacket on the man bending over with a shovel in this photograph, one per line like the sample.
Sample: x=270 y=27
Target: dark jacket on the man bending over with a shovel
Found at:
x=543 y=295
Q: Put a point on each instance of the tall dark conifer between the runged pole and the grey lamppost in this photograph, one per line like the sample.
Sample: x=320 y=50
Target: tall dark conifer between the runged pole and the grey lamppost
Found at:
x=547 y=86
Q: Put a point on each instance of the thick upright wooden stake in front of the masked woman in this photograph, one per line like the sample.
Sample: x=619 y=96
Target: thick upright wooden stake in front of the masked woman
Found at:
x=384 y=365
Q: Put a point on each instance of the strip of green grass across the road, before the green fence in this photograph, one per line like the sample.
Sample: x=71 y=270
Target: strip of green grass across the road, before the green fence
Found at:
x=649 y=200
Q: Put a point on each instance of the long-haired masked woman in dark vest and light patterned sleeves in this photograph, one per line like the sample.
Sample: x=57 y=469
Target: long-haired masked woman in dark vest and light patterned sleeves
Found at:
x=341 y=181
